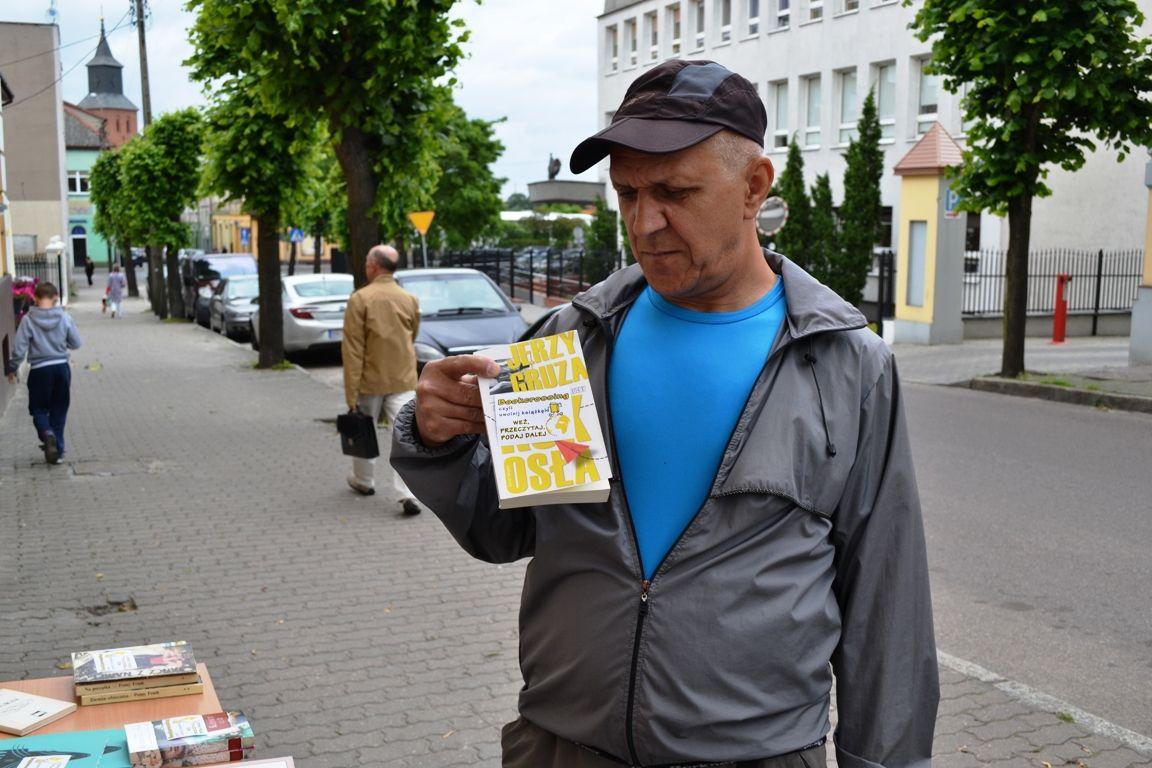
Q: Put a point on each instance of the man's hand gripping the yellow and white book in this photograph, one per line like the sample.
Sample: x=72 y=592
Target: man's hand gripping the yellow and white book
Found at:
x=449 y=400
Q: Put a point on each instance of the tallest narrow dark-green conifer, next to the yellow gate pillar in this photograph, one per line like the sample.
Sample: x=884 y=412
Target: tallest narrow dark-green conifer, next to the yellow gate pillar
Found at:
x=860 y=216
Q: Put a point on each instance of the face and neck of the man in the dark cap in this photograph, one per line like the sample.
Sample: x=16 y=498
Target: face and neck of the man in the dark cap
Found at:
x=686 y=216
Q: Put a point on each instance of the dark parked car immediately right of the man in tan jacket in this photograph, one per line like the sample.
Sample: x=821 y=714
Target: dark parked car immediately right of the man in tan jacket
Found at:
x=461 y=311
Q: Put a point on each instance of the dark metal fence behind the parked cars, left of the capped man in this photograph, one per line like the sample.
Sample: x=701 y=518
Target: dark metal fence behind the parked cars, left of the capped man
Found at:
x=535 y=273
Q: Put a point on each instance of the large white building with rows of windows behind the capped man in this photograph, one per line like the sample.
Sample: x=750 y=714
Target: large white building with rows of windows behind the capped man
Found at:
x=814 y=62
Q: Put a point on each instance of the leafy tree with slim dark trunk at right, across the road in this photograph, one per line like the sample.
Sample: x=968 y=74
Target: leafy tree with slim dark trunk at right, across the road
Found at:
x=1045 y=81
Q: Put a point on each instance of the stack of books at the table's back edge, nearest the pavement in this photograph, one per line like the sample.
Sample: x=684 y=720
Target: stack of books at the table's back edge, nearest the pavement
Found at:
x=148 y=672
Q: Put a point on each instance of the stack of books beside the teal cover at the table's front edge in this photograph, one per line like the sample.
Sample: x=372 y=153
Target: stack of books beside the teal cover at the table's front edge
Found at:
x=190 y=741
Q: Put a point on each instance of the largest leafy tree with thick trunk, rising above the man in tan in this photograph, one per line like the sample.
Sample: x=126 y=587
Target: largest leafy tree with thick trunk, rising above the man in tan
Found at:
x=300 y=59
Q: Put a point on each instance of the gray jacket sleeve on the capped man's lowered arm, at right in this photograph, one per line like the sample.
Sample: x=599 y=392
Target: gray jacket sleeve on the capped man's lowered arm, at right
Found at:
x=888 y=687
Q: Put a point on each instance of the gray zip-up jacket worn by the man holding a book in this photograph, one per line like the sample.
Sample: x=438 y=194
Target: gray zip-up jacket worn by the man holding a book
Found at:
x=809 y=551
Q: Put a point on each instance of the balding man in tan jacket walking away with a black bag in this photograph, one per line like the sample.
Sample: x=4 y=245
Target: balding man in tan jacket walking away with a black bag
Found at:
x=381 y=326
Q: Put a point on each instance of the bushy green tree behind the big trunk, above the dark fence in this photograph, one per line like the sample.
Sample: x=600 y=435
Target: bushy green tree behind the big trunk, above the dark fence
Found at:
x=467 y=202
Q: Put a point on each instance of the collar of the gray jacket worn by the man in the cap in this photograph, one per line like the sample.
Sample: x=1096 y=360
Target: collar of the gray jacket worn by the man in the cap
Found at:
x=813 y=307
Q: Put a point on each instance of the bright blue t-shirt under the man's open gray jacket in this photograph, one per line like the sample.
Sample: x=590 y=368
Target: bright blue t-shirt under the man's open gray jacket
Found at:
x=679 y=381
